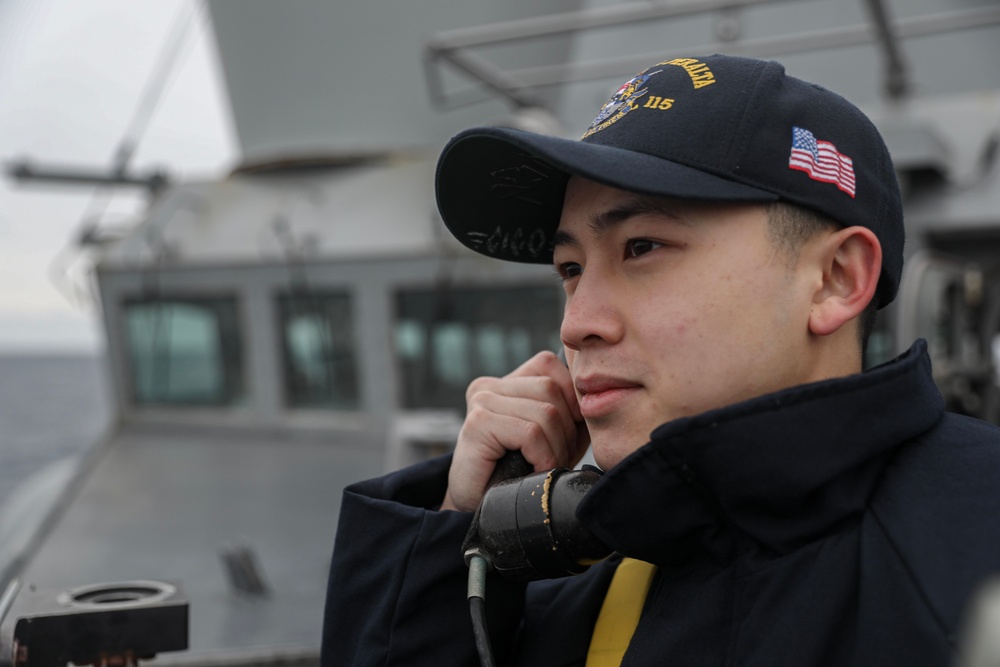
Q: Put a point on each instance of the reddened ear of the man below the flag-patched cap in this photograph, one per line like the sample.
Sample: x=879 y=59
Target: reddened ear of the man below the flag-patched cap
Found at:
x=850 y=262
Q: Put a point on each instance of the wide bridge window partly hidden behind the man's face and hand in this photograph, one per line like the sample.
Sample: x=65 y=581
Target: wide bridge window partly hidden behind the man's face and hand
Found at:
x=446 y=338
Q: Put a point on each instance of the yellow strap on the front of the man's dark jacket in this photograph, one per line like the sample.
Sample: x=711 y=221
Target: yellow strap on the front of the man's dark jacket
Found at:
x=620 y=613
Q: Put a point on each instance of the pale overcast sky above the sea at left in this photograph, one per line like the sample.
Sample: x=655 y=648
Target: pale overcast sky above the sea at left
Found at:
x=72 y=76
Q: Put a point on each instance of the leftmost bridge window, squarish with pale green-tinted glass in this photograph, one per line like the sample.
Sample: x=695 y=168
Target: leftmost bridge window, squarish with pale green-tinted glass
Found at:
x=184 y=351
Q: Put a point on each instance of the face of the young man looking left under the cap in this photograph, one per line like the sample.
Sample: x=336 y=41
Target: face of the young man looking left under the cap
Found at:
x=672 y=308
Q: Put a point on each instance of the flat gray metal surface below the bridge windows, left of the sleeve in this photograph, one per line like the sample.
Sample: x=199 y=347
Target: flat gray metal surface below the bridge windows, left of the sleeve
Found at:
x=161 y=505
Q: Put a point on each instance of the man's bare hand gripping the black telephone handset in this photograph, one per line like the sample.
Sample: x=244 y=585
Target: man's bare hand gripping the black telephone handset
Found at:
x=533 y=409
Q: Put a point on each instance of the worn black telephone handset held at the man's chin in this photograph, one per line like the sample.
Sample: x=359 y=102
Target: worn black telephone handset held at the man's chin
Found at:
x=526 y=526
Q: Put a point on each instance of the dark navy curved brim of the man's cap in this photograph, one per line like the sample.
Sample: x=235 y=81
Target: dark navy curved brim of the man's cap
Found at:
x=500 y=191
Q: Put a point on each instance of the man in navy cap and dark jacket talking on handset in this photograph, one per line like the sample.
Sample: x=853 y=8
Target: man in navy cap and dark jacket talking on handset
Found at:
x=724 y=234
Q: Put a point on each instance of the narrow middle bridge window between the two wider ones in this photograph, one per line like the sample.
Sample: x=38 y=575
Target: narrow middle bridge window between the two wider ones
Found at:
x=318 y=350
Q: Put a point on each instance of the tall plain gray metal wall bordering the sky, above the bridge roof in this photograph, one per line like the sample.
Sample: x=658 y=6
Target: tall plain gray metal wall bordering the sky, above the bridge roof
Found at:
x=348 y=77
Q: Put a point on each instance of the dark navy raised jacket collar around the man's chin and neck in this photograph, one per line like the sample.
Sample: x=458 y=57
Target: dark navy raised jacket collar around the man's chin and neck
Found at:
x=774 y=472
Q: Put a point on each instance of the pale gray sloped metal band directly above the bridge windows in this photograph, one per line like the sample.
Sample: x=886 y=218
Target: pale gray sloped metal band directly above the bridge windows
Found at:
x=379 y=208
